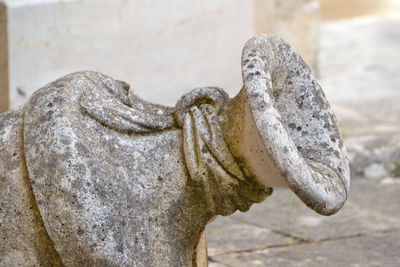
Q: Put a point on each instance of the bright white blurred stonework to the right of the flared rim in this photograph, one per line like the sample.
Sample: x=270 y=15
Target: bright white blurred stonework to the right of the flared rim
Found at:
x=359 y=65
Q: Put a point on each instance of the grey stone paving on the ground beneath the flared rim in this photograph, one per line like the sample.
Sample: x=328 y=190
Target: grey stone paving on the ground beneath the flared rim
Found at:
x=282 y=231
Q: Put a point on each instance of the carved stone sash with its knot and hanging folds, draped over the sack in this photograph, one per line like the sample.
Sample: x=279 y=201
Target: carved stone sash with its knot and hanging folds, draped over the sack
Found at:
x=212 y=168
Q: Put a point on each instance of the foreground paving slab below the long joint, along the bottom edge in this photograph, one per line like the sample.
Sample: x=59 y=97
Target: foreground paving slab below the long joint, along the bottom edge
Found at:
x=375 y=250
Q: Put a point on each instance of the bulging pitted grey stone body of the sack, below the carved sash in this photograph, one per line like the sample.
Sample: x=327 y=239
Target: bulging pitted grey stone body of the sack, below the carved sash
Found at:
x=106 y=197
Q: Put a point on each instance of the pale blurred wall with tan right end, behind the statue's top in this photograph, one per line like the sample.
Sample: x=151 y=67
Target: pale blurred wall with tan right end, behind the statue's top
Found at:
x=162 y=48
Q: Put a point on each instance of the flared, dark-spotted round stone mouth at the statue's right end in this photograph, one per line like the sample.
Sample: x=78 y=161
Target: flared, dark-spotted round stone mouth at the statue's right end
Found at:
x=298 y=129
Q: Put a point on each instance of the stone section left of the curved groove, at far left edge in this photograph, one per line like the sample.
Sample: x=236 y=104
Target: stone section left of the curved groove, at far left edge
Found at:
x=23 y=239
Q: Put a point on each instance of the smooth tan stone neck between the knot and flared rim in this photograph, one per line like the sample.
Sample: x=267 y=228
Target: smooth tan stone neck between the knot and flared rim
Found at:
x=245 y=143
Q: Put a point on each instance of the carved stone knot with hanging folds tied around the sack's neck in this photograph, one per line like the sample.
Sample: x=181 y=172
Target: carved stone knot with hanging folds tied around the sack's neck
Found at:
x=211 y=165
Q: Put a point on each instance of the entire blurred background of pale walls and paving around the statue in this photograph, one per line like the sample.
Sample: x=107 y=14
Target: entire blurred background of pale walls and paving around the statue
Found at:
x=165 y=48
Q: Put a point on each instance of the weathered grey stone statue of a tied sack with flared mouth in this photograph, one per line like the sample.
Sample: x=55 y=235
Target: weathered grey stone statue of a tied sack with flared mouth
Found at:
x=92 y=175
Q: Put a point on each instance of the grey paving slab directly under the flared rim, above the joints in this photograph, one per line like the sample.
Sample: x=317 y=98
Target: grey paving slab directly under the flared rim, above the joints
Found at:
x=371 y=207
